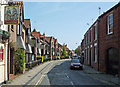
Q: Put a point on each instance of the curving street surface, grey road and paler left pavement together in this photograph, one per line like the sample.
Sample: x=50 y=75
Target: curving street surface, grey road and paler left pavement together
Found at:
x=58 y=73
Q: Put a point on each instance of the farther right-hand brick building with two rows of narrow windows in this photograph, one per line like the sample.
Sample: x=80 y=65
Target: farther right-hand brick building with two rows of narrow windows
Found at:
x=91 y=46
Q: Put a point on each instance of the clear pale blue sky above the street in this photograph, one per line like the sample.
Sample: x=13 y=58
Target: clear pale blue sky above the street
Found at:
x=66 y=21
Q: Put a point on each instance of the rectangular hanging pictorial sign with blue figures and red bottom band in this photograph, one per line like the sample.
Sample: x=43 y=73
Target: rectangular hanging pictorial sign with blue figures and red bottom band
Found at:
x=12 y=15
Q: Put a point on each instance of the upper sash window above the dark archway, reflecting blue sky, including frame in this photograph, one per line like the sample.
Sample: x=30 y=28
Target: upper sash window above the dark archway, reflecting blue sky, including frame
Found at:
x=110 y=23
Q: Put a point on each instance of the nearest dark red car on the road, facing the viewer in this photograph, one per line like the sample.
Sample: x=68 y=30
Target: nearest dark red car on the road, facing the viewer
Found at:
x=75 y=64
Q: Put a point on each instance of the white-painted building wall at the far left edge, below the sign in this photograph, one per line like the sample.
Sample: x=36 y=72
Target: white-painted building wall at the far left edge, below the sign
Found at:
x=3 y=64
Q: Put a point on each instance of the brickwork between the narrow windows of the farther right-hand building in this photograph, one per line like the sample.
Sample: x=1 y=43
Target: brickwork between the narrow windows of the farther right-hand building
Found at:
x=88 y=47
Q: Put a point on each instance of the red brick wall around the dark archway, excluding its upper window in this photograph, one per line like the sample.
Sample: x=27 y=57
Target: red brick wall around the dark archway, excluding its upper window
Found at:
x=107 y=41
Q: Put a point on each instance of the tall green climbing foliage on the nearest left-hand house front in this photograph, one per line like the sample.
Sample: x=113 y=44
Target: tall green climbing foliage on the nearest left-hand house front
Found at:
x=20 y=60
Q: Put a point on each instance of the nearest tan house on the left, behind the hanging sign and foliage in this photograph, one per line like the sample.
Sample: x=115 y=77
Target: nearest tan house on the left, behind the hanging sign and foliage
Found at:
x=16 y=40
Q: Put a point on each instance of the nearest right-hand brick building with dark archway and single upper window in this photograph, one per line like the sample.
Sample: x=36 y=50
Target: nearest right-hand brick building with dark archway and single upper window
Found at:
x=109 y=41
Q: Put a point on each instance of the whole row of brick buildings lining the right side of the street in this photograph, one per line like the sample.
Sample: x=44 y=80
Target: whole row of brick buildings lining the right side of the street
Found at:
x=101 y=43
